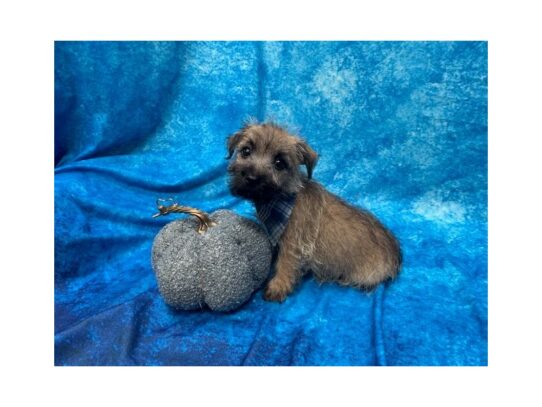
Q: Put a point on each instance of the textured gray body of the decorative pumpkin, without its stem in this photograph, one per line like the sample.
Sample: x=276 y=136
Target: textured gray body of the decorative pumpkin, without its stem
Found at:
x=219 y=268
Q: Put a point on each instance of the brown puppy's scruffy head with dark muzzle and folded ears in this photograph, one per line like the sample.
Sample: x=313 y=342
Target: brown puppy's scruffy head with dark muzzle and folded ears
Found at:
x=265 y=162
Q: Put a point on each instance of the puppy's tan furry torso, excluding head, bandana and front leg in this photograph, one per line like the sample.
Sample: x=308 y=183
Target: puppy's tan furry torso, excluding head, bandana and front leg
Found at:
x=340 y=242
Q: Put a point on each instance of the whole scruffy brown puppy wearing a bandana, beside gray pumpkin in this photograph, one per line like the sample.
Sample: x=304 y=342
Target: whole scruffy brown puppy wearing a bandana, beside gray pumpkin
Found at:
x=311 y=228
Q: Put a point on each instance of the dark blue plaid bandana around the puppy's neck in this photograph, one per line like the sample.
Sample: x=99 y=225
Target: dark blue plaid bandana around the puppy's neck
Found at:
x=274 y=215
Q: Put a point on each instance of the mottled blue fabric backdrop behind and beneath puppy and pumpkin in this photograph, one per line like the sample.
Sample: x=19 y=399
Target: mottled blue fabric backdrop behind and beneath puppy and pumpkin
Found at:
x=401 y=128
